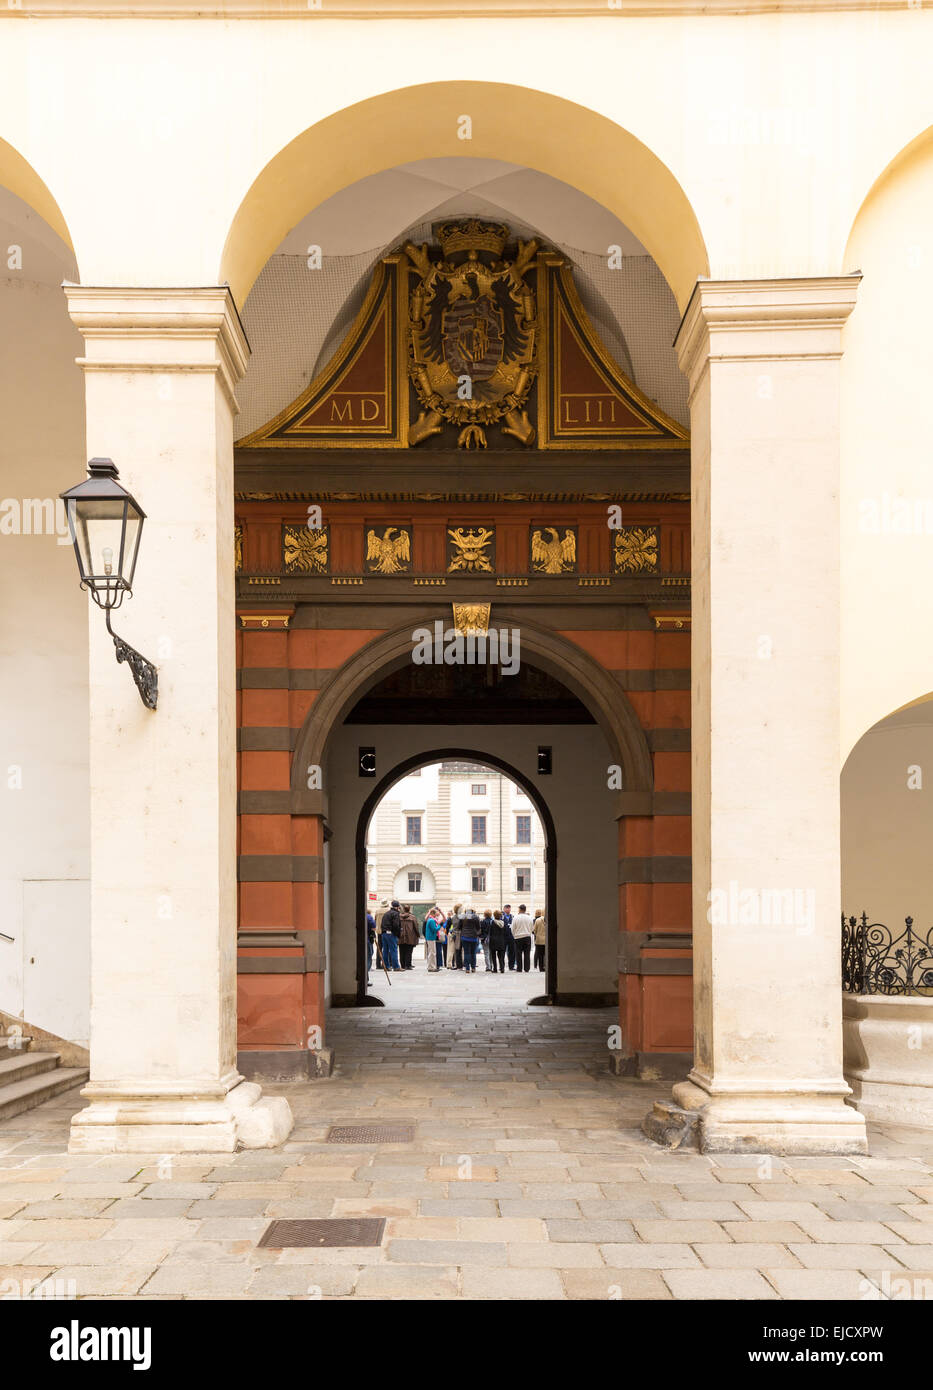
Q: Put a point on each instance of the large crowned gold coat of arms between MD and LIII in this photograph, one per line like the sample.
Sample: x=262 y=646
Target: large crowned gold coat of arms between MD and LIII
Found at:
x=473 y=327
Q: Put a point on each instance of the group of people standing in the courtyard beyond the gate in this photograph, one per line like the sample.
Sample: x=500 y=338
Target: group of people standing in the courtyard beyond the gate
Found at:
x=454 y=942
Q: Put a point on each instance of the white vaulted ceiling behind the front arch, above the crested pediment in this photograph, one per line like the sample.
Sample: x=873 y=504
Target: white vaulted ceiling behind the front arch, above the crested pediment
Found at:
x=297 y=318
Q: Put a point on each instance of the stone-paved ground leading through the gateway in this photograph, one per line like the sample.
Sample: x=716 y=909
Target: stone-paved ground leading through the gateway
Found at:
x=528 y=1178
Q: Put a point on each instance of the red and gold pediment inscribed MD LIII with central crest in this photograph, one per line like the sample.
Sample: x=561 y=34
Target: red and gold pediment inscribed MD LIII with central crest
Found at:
x=471 y=343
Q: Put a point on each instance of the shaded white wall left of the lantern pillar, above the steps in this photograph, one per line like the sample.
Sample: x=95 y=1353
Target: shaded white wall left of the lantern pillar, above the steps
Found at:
x=44 y=643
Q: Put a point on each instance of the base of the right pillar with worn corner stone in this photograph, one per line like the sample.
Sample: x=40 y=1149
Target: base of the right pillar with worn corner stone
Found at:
x=763 y=1122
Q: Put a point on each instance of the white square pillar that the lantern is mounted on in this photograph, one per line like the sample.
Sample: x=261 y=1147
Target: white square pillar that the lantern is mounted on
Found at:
x=161 y=370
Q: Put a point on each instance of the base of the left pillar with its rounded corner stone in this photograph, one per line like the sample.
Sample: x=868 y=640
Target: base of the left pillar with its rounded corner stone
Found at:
x=180 y=1124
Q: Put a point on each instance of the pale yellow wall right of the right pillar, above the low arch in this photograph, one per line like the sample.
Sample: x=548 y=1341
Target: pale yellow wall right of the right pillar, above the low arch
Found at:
x=888 y=469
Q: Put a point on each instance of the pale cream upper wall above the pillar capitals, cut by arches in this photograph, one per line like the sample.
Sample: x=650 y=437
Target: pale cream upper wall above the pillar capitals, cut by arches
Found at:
x=151 y=133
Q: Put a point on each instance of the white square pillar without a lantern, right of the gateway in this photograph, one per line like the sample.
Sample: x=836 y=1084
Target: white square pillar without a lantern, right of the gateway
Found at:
x=763 y=359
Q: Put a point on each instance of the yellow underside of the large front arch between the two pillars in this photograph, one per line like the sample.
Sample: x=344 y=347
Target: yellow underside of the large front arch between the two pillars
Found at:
x=512 y=123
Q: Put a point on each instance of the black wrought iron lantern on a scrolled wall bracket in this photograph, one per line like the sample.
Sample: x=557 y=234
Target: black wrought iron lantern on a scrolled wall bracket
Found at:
x=106 y=523
